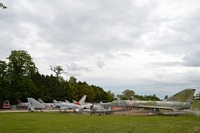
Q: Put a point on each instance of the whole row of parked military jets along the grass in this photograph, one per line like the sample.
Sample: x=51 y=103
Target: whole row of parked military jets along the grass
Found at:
x=179 y=101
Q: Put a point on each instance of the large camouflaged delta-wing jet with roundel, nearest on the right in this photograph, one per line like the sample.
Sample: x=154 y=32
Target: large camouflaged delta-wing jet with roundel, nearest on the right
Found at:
x=177 y=102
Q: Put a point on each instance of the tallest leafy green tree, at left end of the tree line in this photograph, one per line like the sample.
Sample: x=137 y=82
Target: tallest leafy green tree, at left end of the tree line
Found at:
x=20 y=69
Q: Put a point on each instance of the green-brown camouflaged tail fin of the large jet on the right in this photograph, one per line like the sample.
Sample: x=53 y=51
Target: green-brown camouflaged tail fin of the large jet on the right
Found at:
x=185 y=95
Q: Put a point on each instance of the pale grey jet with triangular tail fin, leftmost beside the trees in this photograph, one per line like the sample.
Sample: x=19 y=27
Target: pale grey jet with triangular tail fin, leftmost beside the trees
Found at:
x=34 y=104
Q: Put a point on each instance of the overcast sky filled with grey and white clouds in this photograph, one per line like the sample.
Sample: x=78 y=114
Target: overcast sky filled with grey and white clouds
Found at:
x=149 y=46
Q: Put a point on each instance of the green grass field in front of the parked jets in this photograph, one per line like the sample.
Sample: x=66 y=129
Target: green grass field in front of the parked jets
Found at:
x=55 y=122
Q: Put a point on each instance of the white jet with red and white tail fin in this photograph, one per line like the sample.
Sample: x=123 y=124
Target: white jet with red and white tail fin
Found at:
x=67 y=105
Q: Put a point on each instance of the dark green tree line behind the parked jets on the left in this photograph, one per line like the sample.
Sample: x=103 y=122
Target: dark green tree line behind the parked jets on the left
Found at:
x=20 y=78
